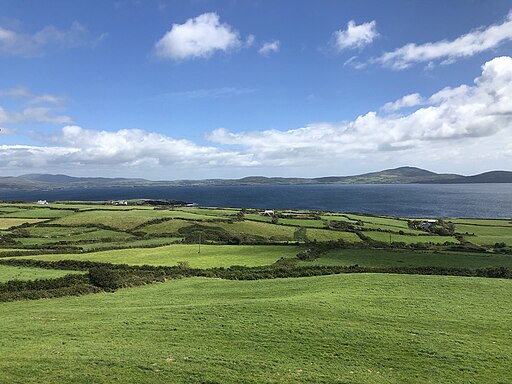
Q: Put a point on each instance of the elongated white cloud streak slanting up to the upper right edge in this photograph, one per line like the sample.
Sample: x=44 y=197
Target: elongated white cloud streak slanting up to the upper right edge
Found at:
x=448 y=51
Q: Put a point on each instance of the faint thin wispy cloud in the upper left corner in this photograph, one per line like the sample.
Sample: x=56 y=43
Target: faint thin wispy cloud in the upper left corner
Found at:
x=27 y=45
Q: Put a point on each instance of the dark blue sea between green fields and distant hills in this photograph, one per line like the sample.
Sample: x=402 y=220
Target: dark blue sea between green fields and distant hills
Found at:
x=406 y=200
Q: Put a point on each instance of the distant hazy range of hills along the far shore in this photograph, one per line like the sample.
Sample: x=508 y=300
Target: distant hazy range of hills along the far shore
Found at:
x=402 y=175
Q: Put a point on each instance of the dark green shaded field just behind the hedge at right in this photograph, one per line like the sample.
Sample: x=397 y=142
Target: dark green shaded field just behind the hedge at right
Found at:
x=391 y=258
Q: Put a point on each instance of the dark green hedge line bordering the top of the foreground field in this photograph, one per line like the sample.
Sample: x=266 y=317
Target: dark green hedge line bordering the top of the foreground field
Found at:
x=110 y=277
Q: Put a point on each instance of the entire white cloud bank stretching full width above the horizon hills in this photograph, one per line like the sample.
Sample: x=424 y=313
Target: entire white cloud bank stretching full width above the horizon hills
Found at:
x=447 y=126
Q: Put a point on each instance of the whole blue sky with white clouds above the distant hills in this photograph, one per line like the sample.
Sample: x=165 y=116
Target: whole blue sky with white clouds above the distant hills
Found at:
x=194 y=89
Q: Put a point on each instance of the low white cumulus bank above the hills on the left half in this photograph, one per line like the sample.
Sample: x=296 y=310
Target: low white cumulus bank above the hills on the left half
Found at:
x=75 y=146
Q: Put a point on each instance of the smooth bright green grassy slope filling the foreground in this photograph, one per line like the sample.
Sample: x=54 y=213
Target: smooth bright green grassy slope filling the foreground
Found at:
x=349 y=328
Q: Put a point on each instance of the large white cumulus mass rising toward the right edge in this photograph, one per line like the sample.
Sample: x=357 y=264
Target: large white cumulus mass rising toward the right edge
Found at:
x=464 y=115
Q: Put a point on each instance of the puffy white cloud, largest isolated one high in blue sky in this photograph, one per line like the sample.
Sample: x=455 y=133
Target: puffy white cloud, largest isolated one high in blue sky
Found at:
x=199 y=37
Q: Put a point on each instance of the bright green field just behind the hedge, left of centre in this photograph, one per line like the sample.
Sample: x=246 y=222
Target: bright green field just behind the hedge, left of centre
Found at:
x=210 y=256
